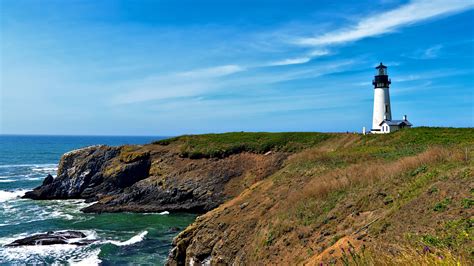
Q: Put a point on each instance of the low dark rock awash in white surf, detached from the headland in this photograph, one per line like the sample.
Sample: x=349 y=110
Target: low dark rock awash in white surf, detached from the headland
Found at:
x=53 y=238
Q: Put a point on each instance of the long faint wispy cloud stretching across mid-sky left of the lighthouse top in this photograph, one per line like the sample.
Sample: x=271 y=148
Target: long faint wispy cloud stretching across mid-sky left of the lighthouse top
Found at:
x=202 y=81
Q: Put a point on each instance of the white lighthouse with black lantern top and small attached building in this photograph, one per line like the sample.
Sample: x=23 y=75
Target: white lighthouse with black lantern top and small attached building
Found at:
x=382 y=115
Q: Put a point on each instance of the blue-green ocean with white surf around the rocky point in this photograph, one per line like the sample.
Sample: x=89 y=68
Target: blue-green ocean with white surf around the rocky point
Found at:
x=123 y=238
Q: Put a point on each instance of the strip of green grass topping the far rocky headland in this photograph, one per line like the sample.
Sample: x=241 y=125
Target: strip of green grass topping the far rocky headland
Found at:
x=222 y=145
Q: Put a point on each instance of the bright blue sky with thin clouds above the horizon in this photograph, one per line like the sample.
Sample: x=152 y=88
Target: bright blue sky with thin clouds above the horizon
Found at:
x=176 y=67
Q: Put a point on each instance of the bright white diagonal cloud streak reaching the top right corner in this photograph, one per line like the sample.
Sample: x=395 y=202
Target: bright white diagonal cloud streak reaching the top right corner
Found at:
x=389 y=21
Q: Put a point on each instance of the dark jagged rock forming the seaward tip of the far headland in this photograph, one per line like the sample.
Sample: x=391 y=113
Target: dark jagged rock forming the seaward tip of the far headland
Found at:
x=86 y=173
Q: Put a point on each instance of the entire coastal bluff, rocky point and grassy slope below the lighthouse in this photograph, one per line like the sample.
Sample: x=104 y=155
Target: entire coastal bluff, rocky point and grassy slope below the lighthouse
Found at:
x=290 y=198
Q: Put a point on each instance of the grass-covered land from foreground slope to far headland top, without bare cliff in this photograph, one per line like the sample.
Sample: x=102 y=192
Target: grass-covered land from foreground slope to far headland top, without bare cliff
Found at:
x=400 y=198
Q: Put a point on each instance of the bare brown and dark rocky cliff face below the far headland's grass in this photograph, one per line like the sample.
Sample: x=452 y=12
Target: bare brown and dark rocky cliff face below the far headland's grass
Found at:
x=153 y=178
